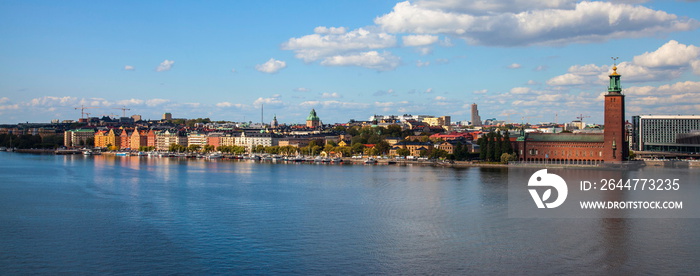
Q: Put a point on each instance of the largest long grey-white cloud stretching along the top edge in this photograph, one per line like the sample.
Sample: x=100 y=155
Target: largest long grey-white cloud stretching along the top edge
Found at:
x=517 y=23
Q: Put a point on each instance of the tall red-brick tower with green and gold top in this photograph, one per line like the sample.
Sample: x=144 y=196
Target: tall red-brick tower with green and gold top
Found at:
x=614 y=145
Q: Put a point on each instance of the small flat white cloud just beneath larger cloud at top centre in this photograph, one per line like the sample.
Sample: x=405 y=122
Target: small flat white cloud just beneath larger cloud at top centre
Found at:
x=374 y=60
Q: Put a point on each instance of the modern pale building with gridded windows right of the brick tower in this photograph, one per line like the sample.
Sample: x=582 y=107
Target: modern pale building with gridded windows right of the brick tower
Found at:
x=666 y=133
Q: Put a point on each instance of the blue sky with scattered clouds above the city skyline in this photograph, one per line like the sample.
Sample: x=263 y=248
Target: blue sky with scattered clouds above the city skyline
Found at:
x=519 y=60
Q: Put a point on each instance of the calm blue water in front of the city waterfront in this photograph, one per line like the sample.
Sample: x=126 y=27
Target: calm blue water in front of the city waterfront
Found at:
x=131 y=215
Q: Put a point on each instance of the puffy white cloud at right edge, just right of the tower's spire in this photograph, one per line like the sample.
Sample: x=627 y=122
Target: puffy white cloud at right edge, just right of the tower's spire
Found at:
x=670 y=54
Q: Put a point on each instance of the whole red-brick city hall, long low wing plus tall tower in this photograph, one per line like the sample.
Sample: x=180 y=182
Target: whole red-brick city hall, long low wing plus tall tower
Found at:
x=583 y=148
